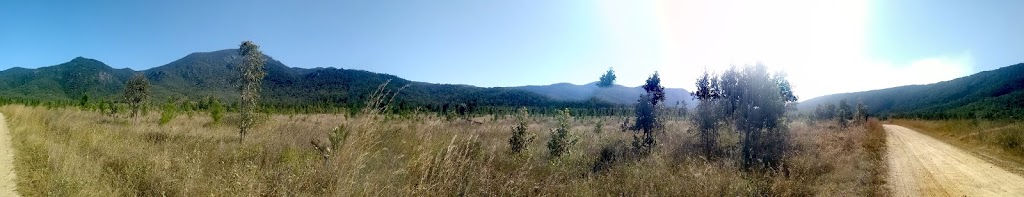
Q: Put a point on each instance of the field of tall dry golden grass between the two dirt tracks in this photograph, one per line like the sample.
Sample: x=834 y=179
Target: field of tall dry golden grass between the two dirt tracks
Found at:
x=67 y=152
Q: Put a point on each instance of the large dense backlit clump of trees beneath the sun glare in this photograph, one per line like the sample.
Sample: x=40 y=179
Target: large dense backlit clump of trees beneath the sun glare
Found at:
x=754 y=102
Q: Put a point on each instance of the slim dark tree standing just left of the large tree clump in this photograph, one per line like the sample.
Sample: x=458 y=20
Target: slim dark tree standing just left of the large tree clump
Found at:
x=647 y=114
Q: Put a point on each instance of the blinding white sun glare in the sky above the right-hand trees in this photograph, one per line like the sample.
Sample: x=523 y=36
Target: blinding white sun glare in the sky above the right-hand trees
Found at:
x=819 y=45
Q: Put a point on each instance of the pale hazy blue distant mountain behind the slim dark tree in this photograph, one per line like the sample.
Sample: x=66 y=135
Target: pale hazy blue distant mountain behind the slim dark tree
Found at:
x=615 y=94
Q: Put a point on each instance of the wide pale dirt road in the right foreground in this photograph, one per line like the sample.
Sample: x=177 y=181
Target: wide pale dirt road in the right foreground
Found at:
x=920 y=166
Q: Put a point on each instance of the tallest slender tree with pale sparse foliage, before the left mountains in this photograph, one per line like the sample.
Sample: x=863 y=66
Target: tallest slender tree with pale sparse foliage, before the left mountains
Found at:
x=253 y=71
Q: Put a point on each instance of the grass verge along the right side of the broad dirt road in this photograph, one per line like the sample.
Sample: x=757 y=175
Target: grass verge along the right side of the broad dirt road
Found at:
x=1001 y=142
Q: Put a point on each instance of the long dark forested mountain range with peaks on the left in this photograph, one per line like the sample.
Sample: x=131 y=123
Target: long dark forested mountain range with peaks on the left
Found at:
x=202 y=75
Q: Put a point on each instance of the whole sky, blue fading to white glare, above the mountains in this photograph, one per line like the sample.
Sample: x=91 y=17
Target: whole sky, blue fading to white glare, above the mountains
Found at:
x=824 y=47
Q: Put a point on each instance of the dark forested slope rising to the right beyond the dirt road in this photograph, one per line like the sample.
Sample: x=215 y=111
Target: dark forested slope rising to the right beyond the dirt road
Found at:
x=997 y=94
